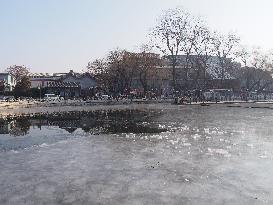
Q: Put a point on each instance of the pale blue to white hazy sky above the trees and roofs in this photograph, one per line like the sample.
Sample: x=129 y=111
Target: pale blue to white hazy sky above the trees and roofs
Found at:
x=58 y=35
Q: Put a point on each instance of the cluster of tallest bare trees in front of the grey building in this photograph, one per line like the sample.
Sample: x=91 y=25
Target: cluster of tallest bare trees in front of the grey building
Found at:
x=180 y=33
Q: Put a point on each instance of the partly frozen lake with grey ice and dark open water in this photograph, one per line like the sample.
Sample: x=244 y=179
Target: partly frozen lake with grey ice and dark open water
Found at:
x=177 y=155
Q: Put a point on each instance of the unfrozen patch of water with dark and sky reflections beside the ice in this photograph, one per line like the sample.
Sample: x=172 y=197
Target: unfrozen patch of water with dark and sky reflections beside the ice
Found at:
x=24 y=132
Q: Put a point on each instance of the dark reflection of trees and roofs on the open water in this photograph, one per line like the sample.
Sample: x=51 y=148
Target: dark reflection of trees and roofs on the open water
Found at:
x=94 y=122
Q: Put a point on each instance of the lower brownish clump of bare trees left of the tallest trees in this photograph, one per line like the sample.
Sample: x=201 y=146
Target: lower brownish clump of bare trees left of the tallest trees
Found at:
x=116 y=72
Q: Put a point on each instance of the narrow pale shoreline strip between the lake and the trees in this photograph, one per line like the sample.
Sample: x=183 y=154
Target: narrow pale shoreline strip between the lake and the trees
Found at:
x=26 y=109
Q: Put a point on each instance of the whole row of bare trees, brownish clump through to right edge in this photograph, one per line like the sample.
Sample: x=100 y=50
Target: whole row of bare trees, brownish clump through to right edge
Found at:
x=179 y=33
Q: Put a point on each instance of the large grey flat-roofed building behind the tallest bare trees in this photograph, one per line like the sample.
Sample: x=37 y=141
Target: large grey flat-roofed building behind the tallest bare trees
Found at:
x=199 y=72
